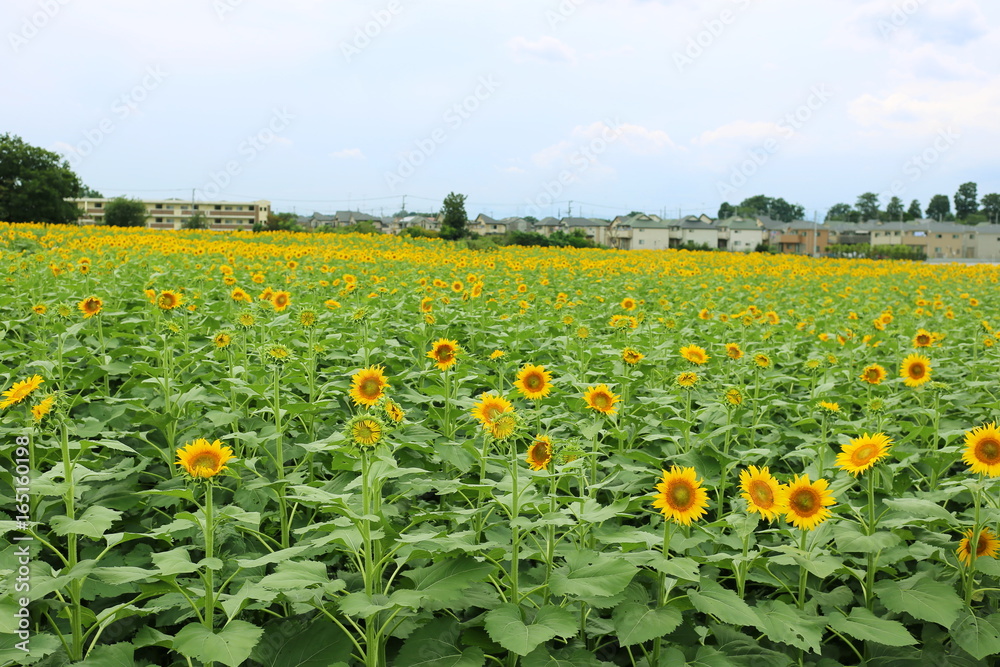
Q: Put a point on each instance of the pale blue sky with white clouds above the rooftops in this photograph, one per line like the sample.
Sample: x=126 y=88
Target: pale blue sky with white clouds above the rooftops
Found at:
x=593 y=108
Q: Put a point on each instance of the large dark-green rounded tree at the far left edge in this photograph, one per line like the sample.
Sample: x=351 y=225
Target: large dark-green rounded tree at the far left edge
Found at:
x=34 y=184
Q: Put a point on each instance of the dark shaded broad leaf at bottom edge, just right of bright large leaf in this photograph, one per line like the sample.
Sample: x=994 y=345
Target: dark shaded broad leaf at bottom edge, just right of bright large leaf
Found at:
x=288 y=643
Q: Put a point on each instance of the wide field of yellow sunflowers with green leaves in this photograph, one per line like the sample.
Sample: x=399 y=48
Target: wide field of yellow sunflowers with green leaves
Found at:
x=294 y=450
